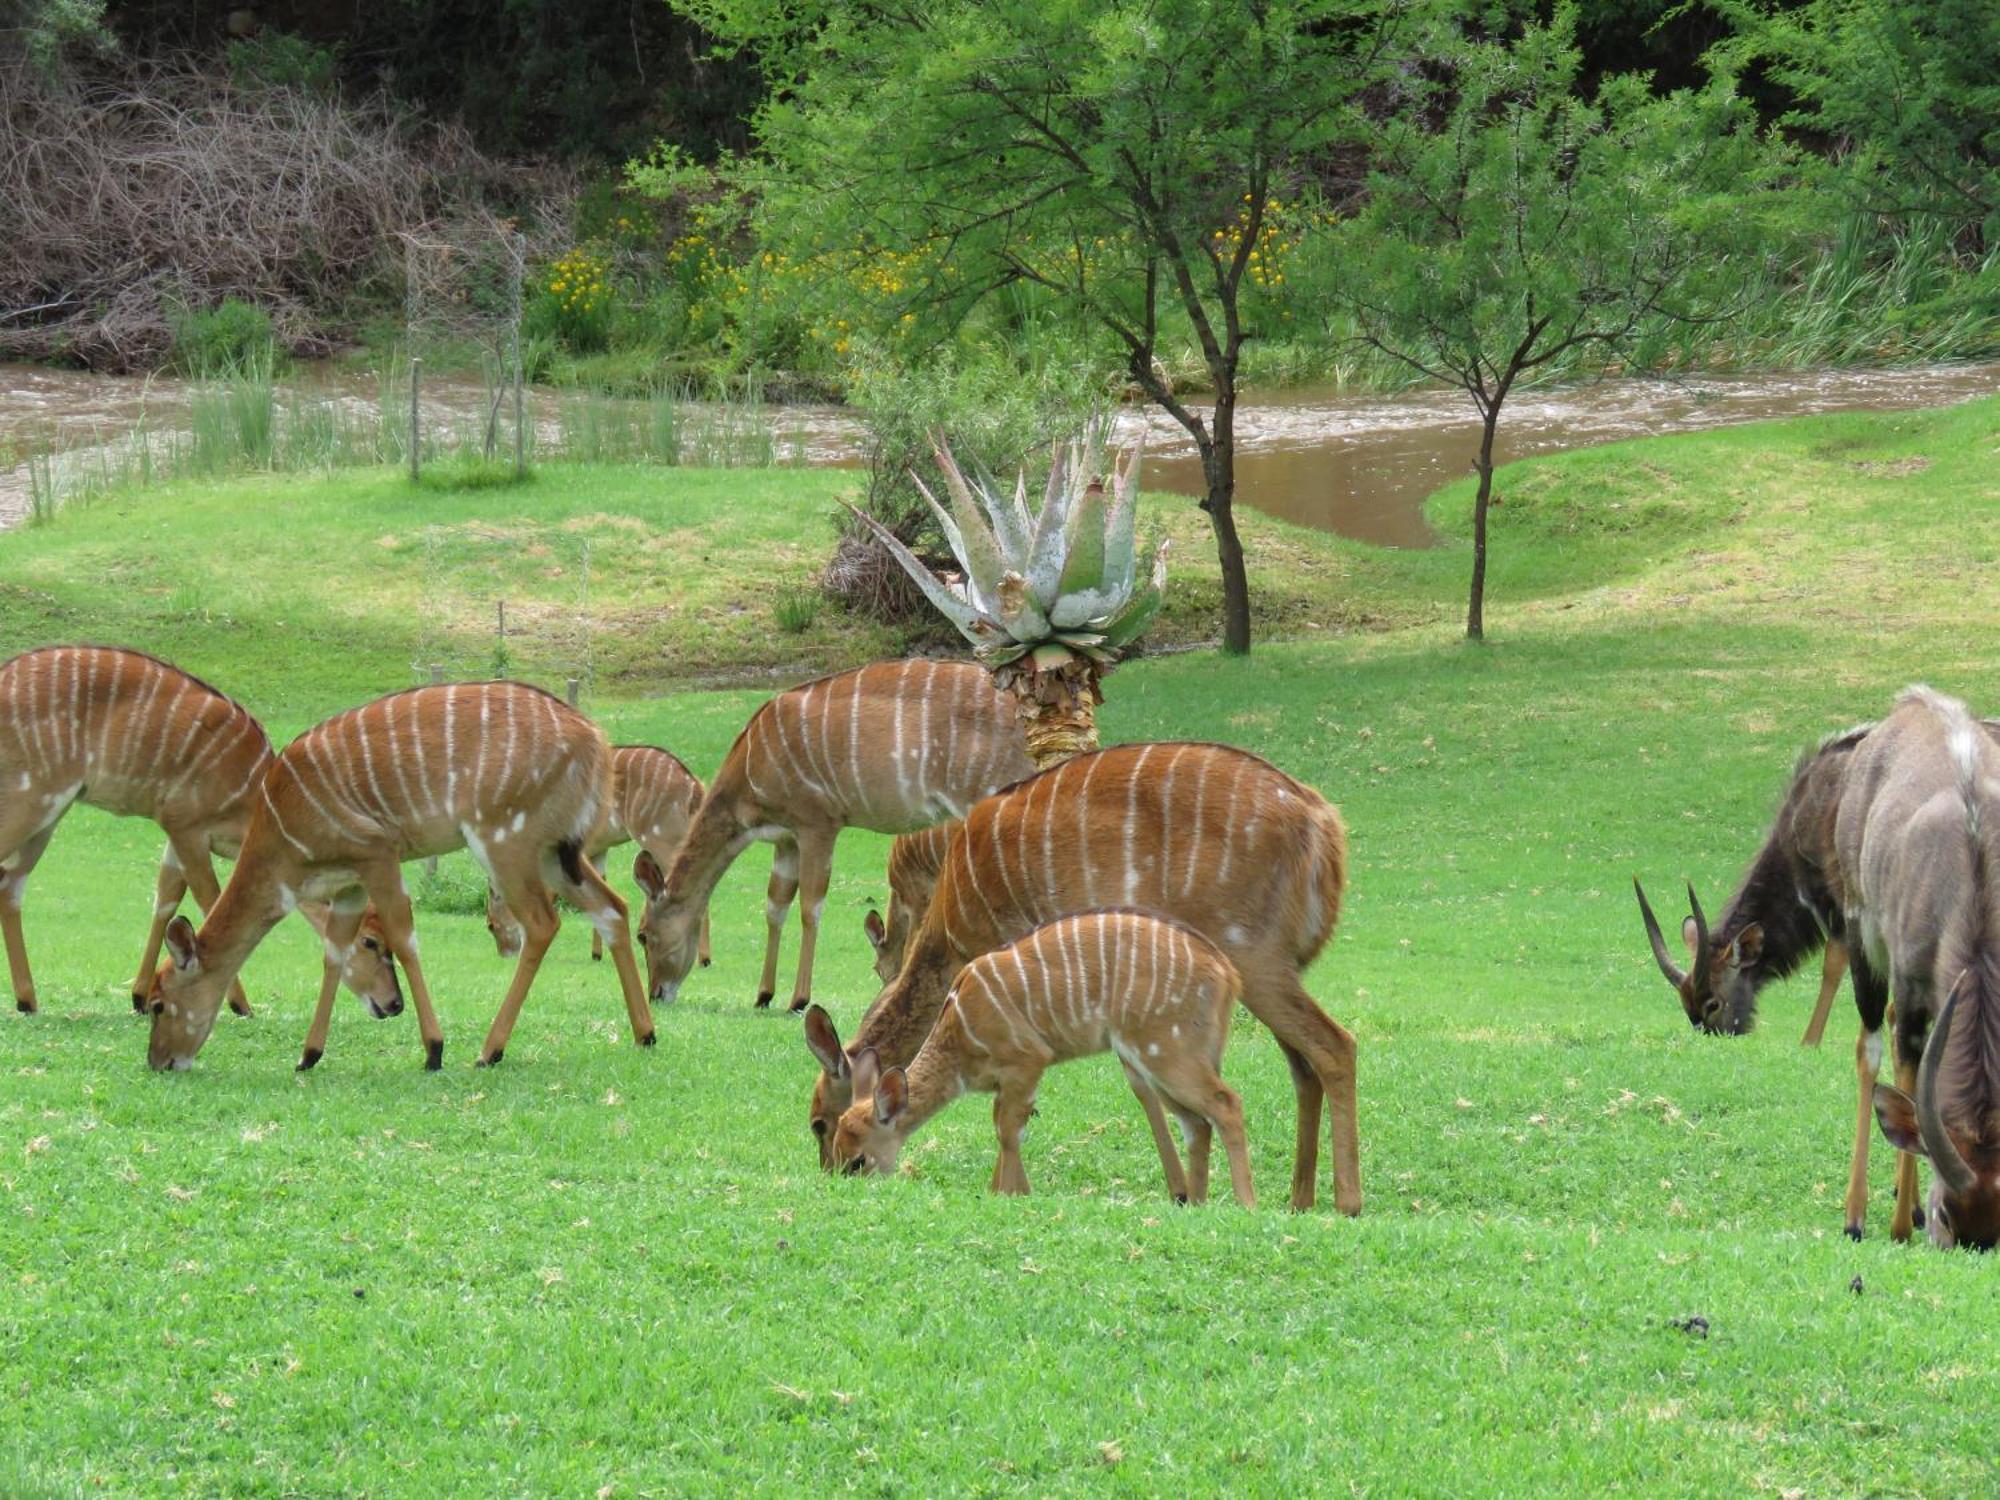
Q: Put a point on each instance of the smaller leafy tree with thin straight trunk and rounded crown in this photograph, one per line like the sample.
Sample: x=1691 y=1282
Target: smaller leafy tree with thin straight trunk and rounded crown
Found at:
x=1517 y=229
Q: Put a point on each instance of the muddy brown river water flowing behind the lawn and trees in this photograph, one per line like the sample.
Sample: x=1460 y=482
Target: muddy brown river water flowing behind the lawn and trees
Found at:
x=1355 y=465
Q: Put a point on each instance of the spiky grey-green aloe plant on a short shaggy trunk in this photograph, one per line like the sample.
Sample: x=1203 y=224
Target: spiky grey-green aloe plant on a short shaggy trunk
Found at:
x=1047 y=599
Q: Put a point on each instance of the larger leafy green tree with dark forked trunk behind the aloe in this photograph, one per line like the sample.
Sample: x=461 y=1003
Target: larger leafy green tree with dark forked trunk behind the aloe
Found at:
x=1121 y=159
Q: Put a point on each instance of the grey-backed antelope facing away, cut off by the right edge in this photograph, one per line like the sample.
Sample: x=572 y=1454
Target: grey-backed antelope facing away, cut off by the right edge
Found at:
x=1917 y=843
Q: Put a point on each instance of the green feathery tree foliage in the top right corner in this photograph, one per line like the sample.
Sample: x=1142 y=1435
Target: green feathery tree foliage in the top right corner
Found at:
x=1905 y=91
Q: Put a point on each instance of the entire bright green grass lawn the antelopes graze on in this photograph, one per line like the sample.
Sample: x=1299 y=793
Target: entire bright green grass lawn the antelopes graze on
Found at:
x=603 y=1271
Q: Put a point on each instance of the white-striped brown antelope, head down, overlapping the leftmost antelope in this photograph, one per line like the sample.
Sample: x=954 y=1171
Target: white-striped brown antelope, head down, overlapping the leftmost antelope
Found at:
x=499 y=769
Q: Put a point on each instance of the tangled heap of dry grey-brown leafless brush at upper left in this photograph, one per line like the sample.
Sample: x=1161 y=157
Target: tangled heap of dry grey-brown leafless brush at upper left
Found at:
x=155 y=187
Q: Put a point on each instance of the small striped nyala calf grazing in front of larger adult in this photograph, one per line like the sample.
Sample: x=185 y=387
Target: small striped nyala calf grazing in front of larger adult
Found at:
x=1149 y=989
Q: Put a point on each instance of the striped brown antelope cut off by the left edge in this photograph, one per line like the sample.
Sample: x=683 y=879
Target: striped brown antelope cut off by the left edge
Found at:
x=127 y=733
